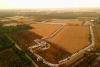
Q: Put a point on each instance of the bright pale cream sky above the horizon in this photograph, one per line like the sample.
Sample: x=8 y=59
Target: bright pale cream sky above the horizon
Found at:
x=18 y=4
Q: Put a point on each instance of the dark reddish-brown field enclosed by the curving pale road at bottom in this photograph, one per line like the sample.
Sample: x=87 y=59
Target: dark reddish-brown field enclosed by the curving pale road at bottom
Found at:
x=53 y=54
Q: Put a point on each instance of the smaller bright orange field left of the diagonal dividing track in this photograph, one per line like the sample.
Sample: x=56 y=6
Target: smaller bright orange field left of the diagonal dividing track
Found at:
x=44 y=30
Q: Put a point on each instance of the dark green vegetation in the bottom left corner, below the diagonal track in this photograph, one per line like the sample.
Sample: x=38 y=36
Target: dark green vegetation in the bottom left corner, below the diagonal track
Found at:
x=9 y=58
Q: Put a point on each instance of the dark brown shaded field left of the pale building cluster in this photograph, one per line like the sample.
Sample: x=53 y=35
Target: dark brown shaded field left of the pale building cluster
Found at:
x=25 y=38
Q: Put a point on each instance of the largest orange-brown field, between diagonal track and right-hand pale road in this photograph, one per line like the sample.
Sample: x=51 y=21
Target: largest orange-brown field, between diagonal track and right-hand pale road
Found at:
x=72 y=38
